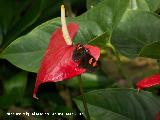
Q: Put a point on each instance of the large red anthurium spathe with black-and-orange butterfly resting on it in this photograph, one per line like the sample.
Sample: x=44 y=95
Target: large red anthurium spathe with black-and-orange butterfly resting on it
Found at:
x=61 y=61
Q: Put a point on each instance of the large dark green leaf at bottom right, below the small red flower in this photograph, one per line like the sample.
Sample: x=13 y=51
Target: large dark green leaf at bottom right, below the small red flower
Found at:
x=121 y=104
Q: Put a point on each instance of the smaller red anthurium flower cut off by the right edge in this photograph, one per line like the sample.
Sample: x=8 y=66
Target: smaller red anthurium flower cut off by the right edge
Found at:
x=149 y=82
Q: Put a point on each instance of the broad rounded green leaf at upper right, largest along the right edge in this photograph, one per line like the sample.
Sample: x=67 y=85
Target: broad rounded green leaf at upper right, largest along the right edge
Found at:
x=136 y=30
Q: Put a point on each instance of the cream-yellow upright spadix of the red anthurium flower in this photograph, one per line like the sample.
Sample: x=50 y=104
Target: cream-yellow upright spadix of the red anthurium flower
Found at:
x=64 y=27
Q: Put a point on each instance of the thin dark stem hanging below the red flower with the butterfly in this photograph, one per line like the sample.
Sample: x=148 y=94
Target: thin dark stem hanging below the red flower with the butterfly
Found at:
x=83 y=97
